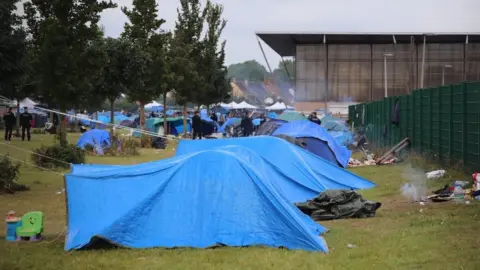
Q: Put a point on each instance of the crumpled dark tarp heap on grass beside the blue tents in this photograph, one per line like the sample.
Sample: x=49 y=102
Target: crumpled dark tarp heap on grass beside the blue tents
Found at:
x=339 y=204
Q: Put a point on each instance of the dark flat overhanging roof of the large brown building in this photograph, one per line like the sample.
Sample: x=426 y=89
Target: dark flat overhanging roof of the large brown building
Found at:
x=284 y=43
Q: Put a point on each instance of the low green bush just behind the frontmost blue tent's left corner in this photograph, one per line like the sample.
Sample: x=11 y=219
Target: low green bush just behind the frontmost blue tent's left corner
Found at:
x=62 y=156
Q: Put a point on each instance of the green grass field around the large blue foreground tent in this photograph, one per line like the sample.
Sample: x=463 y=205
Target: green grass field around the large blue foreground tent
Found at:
x=402 y=236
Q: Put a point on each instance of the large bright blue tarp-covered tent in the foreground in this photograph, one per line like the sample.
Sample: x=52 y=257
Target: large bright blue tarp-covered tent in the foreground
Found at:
x=186 y=202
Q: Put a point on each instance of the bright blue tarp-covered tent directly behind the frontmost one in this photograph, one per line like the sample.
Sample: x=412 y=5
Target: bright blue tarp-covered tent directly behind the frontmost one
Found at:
x=296 y=163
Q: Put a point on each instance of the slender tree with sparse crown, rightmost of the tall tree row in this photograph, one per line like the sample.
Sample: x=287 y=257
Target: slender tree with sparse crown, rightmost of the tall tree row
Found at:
x=216 y=84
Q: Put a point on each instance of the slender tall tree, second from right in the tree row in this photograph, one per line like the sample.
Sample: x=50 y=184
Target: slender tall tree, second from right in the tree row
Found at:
x=186 y=52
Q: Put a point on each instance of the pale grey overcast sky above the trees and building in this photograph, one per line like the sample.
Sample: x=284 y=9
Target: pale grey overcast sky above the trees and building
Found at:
x=245 y=17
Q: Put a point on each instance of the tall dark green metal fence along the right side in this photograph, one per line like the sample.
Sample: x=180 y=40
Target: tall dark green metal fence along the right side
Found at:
x=443 y=121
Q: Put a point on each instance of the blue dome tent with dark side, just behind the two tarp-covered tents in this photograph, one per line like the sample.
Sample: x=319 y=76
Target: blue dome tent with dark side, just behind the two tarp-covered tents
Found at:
x=317 y=140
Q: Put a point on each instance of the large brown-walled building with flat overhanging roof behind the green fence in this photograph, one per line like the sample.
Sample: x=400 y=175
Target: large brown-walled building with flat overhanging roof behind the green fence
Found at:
x=359 y=67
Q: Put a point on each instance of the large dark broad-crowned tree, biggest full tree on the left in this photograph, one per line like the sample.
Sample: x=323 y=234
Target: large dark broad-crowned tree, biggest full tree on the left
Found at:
x=62 y=33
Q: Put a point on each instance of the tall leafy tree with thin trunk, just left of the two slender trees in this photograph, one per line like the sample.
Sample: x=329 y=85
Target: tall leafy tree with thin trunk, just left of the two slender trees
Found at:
x=144 y=31
